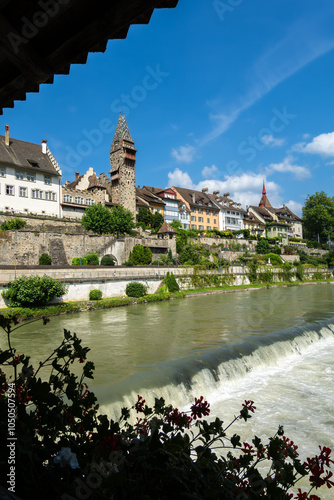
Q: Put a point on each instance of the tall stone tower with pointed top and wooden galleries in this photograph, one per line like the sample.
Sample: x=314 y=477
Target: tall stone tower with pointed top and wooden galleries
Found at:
x=122 y=171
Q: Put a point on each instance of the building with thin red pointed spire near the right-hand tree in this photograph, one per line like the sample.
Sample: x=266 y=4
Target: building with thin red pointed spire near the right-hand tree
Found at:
x=280 y=222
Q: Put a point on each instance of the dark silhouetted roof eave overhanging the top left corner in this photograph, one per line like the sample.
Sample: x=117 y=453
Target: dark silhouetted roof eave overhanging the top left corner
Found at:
x=72 y=30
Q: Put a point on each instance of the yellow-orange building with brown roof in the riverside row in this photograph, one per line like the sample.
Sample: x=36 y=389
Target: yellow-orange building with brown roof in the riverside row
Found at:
x=204 y=212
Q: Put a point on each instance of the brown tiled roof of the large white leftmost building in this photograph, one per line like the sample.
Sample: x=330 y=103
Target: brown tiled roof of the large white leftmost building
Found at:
x=28 y=156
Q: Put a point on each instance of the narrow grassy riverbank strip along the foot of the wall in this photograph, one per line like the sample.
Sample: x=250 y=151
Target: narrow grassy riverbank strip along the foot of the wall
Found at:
x=23 y=313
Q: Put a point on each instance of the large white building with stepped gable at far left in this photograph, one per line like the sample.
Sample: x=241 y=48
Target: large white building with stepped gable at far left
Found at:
x=30 y=177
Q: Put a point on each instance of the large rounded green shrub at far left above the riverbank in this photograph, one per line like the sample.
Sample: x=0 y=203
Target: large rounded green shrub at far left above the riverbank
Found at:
x=32 y=291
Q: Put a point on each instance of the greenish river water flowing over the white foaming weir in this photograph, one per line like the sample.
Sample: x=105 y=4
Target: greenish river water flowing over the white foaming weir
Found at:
x=275 y=347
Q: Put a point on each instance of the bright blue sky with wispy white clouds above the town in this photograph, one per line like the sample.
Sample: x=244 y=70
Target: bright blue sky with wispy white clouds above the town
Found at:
x=219 y=94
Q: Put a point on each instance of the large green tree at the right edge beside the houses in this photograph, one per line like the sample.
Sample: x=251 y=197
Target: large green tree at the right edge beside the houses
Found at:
x=318 y=216
